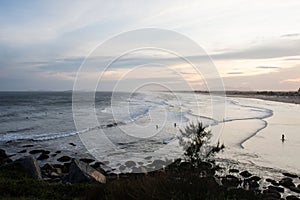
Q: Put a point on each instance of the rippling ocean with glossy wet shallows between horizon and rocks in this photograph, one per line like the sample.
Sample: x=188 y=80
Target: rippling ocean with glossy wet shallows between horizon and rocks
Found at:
x=117 y=127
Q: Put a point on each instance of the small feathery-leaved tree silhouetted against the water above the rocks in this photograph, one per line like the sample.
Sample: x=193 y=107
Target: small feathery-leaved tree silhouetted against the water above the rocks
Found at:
x=196 y=143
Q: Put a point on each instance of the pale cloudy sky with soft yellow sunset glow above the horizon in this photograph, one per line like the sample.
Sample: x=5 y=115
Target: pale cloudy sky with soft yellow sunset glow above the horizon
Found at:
x=253 y=45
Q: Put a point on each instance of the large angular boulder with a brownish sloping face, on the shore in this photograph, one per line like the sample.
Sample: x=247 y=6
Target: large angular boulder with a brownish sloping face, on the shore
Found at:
x=82 y=172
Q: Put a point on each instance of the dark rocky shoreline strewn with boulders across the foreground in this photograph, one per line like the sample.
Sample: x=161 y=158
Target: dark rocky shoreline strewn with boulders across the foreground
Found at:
x=234 y=184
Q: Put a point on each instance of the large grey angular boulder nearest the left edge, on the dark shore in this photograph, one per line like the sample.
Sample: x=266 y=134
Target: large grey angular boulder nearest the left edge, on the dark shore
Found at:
x=30 y=165
